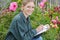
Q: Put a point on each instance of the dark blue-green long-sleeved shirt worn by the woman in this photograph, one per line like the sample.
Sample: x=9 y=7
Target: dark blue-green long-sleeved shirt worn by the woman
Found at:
x=20 y=29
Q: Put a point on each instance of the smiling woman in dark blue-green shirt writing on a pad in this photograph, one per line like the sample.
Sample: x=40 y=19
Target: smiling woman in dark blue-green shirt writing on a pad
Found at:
x=20 y=28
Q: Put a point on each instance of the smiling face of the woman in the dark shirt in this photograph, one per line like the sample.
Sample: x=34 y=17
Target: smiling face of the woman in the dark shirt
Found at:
x=29 y=8
